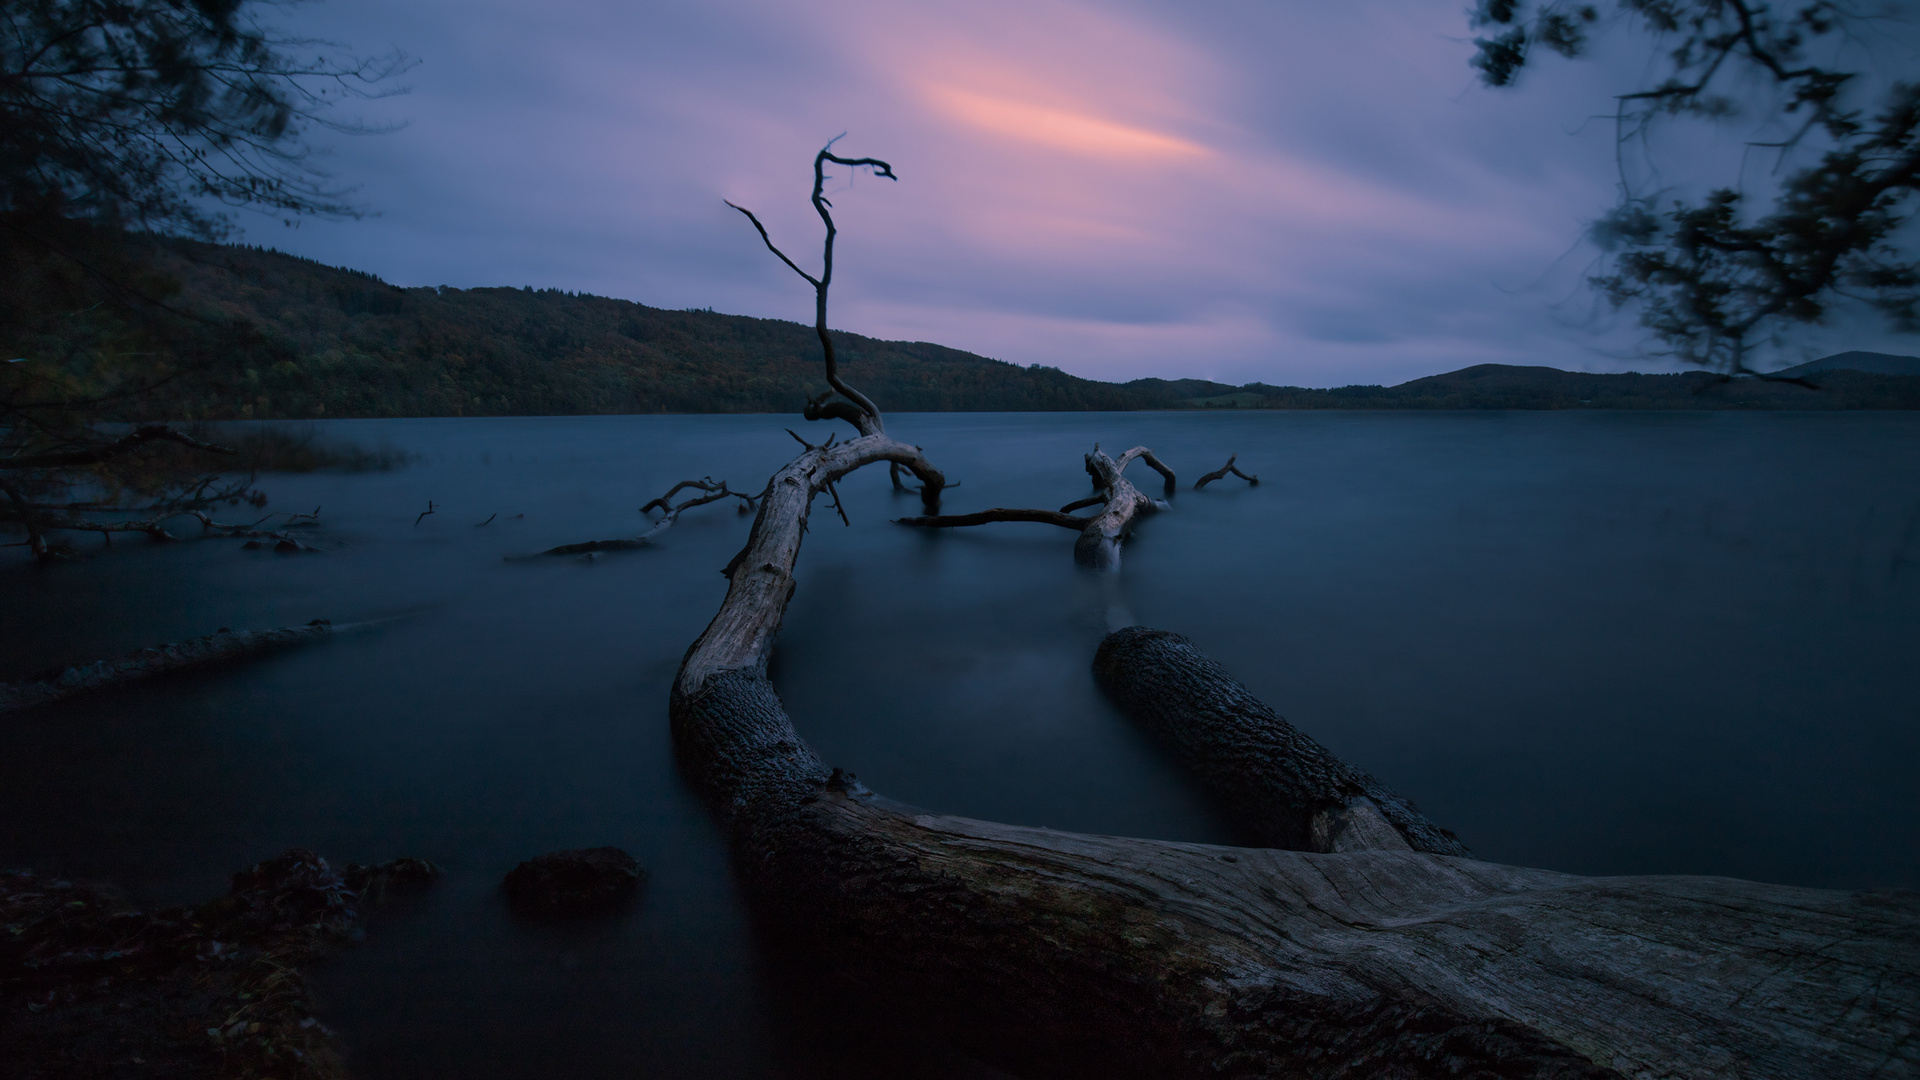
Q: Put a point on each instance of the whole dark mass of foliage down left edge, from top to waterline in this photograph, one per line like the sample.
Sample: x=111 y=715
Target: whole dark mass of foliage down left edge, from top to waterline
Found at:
x=158 y=116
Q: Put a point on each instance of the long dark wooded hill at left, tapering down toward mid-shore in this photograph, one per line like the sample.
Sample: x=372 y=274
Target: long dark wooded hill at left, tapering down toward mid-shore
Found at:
x=347 y=345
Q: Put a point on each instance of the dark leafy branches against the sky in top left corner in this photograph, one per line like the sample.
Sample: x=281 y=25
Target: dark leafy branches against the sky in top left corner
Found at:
x=145 y=112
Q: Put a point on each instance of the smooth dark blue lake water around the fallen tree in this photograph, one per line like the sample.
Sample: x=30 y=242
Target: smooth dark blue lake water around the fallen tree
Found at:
x=1600 y=643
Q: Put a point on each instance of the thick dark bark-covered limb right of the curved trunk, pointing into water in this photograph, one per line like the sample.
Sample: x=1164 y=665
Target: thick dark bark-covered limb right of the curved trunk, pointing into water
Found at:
x=1284 y=789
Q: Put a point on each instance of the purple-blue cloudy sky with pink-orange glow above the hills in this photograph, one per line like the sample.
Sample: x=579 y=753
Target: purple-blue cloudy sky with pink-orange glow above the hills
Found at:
x=1280 y=191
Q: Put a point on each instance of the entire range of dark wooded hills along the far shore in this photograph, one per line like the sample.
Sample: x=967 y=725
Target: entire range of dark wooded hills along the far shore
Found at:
x=337 y=343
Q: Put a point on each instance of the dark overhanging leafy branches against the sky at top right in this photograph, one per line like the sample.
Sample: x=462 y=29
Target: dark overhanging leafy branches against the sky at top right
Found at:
x=1712 y=280
